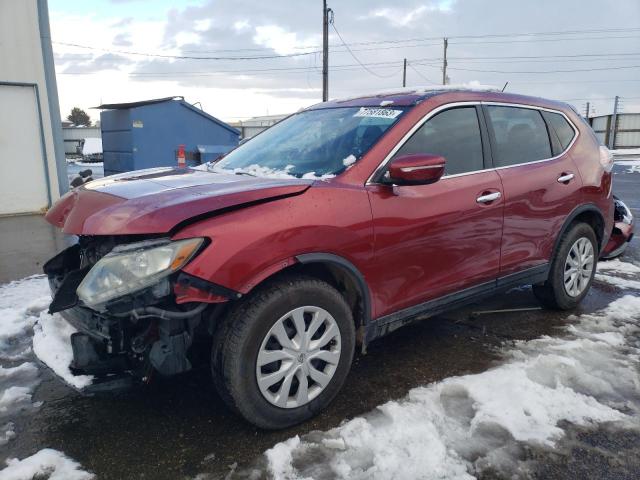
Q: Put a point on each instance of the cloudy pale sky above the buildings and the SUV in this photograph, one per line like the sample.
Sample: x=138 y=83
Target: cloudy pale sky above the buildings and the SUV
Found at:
x=256 y=57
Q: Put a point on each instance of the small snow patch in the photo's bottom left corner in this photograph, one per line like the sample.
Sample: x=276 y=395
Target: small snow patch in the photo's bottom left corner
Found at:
x=46 y=463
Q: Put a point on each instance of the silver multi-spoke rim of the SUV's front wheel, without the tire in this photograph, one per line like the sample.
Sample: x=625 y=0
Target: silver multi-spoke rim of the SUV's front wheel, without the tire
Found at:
x=298 y=357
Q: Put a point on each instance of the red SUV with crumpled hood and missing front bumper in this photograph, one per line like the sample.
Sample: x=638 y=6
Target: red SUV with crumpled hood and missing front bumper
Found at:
x=334 y=227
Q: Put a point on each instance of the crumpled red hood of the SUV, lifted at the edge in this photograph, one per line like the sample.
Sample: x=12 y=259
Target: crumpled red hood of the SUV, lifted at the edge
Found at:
x=156 y=200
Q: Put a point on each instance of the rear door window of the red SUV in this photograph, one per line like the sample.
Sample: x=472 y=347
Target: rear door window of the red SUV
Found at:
x=520 y=135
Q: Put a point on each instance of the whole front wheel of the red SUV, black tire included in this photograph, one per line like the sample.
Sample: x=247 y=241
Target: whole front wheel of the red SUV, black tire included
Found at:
x=247 y=335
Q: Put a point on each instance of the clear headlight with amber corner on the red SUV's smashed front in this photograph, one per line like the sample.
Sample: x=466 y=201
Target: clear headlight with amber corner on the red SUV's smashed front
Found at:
x=133 y=267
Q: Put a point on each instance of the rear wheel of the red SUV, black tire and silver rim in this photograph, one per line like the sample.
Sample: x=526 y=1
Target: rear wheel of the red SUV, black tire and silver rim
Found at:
x=553 y=293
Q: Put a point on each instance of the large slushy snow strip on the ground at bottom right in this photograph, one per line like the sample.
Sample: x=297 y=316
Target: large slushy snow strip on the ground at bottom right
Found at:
x=464 y=426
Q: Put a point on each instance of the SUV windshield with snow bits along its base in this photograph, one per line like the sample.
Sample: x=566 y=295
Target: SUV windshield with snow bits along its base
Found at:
x=311 y=144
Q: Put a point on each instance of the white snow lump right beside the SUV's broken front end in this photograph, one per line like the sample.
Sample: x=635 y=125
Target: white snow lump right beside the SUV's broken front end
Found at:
x=52 y=345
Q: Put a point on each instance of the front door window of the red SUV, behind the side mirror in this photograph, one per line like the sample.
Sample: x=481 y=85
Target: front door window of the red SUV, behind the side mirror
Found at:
x=453 y=134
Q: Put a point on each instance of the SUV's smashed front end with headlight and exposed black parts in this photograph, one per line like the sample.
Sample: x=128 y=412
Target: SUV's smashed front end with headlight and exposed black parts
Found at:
x=130 y=303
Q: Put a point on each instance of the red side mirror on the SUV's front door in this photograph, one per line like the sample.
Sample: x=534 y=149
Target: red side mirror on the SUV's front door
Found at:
x=416 y=169
